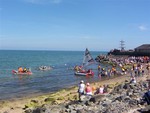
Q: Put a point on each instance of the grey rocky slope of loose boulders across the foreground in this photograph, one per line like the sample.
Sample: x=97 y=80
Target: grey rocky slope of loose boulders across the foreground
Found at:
x=124 y=98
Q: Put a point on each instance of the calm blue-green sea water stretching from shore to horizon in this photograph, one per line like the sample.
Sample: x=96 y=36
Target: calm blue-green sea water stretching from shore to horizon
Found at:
x=62 y=75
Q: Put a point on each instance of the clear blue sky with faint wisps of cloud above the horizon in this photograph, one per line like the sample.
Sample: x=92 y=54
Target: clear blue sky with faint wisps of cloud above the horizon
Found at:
x=99 y=25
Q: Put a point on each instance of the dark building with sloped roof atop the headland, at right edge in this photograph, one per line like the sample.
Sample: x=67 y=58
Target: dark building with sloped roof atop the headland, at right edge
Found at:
x=145 y=48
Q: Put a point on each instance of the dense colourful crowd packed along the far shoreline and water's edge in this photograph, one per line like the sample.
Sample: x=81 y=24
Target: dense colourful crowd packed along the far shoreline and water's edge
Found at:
x=135 y=66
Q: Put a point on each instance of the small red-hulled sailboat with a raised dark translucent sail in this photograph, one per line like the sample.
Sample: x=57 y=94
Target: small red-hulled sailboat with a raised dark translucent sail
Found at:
x=87 y=60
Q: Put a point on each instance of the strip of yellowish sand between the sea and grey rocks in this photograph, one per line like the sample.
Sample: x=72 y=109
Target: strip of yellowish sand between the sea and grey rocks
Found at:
x=63 y=96
